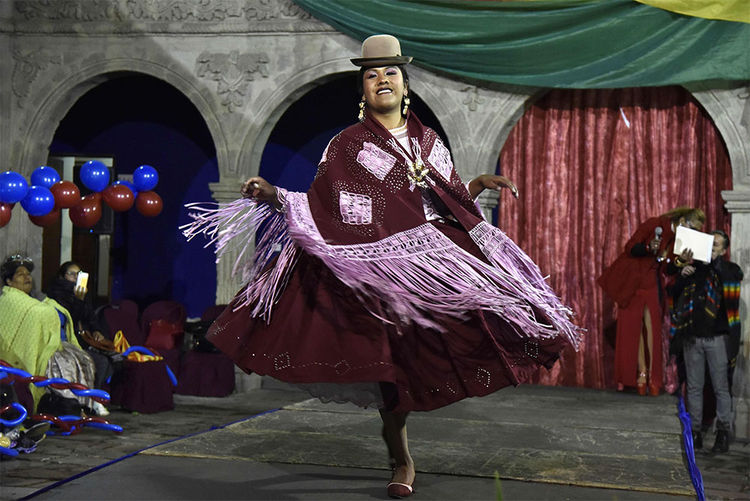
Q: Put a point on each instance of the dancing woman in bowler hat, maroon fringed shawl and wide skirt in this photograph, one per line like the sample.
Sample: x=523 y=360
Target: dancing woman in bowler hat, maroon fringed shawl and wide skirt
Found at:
x=383 y=285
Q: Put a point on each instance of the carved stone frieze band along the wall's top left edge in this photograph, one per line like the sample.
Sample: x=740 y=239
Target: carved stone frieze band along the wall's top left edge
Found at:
x=160 y=10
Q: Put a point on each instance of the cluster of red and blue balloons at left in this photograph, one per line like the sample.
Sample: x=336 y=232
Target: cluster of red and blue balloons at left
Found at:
x=47 y=194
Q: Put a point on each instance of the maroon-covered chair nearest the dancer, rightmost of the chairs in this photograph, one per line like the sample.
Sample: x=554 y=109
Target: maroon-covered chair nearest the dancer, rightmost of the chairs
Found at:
x=206 y=374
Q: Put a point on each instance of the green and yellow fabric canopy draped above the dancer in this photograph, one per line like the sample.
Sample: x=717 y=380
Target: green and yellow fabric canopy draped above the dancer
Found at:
x=560 y=44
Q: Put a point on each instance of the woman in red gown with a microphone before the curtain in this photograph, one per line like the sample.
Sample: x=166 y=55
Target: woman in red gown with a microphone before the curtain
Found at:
x=635 y=282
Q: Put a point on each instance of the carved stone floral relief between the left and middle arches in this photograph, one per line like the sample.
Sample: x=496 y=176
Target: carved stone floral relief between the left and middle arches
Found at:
x=232 y=73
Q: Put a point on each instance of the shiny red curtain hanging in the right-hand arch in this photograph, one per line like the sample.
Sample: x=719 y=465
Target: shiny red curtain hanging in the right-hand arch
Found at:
x=590 y=165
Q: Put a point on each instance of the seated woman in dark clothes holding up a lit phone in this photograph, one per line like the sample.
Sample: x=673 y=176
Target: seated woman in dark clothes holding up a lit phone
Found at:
x=87 y=327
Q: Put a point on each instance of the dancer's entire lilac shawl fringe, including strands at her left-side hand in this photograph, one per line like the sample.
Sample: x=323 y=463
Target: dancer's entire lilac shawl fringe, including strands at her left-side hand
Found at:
x=418 y=274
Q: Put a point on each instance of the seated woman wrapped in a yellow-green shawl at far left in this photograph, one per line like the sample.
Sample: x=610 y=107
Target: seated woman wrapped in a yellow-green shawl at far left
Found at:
x=37 y=336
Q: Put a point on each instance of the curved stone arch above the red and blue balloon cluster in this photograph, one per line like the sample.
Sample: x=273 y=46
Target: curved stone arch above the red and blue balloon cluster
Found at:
x=56 y=103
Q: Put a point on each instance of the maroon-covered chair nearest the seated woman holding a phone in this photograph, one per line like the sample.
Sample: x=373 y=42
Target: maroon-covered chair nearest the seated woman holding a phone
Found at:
x=137 y=386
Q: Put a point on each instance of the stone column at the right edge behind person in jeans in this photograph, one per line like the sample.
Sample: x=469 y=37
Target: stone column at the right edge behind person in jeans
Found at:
x=738 y=205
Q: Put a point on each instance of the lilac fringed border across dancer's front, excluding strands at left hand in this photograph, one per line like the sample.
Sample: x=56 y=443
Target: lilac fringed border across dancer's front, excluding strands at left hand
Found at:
x=421 y=273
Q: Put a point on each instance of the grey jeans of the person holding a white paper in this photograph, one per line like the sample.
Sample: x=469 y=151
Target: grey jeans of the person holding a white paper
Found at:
x=711 y=350
